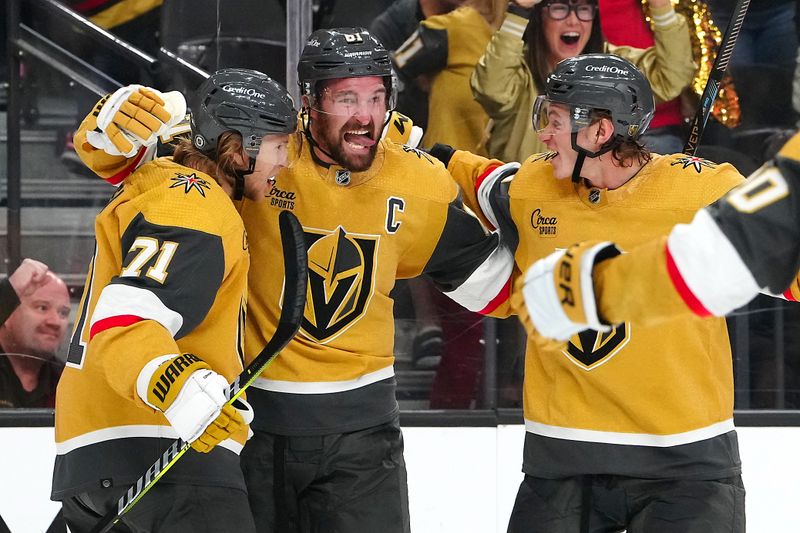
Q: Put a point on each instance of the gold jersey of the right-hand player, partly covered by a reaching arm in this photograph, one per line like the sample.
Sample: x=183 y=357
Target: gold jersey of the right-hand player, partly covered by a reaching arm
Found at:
x=641 y=400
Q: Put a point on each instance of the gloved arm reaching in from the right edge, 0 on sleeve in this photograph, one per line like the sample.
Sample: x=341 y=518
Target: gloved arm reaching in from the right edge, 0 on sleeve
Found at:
x=745 y=243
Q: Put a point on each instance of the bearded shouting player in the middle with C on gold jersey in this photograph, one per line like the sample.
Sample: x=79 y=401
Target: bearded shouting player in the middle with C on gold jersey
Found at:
x=328 y=452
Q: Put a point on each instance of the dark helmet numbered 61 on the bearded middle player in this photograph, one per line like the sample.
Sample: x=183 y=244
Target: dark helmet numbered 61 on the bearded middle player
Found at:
x=343 y=53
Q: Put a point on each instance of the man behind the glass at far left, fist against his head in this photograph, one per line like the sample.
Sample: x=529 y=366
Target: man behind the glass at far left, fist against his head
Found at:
x=30 y=337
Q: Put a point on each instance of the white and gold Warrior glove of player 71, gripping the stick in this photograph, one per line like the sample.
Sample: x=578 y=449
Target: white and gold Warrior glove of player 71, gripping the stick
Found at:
x=192 y=398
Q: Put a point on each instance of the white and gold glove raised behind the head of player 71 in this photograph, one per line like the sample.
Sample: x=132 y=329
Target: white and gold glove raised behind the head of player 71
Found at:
x=135 y=116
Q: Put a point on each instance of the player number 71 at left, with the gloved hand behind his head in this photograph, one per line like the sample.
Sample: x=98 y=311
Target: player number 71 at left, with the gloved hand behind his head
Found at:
x=159 y=331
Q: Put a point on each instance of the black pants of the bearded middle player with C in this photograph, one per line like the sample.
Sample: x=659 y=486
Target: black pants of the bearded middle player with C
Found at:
x=345 y=483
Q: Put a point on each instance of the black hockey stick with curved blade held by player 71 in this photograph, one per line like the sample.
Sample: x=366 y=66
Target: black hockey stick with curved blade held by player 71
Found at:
x=294 y=299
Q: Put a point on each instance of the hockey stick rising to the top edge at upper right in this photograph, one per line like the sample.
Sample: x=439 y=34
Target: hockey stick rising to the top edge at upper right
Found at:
x=715 y=76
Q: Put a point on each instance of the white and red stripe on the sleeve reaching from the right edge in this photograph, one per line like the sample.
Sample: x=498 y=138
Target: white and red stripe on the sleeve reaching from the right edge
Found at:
x=704 y=265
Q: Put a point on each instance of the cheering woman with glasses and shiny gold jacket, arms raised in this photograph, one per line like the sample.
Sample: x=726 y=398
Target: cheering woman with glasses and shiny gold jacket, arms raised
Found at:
x=536 y=35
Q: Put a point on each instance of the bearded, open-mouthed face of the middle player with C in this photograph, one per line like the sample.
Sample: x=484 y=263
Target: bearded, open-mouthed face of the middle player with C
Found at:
x=347 y=120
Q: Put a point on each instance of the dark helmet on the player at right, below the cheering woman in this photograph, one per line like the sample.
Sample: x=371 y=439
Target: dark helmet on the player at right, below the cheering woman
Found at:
x=599 y=82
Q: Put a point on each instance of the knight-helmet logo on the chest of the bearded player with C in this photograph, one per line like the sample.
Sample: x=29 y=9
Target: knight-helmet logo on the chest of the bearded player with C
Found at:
x=341 y=274
